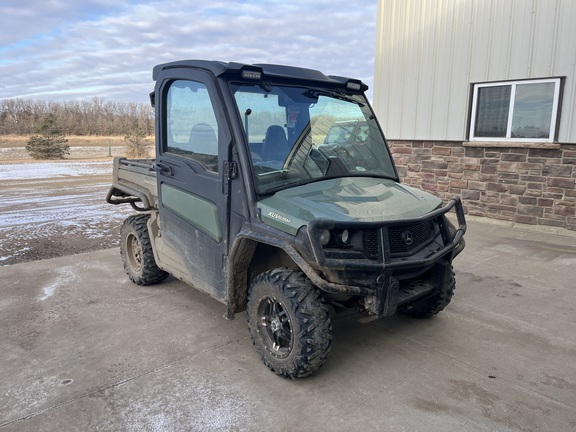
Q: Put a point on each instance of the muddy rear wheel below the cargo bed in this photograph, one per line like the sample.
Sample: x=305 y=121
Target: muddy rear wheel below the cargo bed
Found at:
x=136 y=251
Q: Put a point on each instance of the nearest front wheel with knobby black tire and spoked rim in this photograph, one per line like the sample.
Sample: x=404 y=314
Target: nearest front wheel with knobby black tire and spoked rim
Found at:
x=289 y=323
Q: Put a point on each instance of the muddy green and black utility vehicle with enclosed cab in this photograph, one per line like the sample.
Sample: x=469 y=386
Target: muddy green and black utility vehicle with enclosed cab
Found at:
x=273 y=190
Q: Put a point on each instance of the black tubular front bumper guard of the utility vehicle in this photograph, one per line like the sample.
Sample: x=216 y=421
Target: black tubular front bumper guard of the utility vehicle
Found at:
x=394 y=278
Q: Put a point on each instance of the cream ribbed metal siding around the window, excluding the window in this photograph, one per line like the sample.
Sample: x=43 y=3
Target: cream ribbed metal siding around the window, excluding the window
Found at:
x=429 y=51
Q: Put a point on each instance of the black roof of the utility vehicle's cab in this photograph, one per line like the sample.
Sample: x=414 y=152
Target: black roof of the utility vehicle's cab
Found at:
x=219 y=68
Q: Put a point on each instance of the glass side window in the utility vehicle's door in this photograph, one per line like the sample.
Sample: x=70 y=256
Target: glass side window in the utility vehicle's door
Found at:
x=191 y=126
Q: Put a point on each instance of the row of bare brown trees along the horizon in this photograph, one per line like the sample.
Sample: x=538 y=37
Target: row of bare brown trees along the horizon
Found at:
x=94 y=117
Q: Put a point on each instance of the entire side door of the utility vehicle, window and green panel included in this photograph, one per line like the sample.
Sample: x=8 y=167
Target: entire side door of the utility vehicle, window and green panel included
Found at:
x=193 y=206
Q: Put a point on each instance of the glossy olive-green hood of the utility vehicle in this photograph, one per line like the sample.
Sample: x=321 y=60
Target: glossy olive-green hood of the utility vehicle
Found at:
x=360 y=199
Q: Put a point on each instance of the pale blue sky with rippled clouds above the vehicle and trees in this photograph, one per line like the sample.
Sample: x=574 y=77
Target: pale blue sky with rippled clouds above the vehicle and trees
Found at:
x=79 y=49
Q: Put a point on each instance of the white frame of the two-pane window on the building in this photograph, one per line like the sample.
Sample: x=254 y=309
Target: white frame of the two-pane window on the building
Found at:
x=513 y=84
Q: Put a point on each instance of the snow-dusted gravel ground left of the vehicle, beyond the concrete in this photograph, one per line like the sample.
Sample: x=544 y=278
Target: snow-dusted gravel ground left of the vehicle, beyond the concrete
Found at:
x=52 y=209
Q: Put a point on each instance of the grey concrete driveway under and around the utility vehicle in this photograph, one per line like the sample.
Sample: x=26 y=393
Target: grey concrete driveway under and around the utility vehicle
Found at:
x=82 y=348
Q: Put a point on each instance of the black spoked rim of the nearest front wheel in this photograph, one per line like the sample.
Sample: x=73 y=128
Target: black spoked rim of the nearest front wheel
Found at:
x=275 y=327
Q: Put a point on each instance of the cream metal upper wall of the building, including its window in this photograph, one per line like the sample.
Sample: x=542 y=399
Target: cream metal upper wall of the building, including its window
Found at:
x=484 y=70
